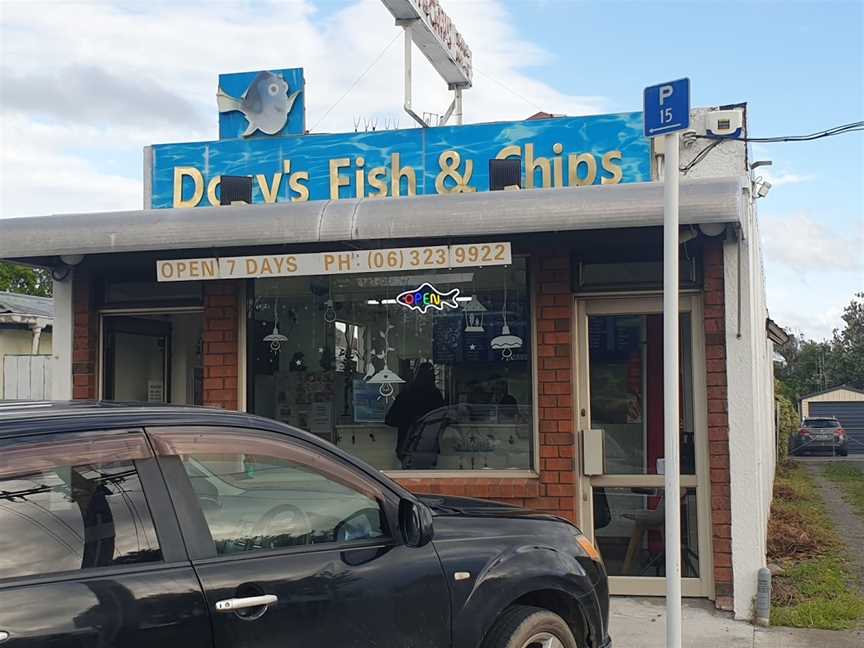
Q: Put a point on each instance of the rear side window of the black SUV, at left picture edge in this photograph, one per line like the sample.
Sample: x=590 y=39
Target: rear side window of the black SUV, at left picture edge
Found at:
x=73 y=501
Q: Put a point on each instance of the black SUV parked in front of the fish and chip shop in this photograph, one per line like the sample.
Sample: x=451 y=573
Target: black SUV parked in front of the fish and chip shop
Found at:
x=129 y=525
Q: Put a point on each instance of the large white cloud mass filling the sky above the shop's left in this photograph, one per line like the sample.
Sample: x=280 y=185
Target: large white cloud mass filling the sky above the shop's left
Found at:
x=82 y=83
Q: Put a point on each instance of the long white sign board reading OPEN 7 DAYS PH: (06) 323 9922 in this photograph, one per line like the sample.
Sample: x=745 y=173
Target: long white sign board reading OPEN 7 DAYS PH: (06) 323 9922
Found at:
x=432 y=257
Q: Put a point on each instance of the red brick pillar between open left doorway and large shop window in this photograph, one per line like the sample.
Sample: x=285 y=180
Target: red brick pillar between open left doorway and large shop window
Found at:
x=221 y=327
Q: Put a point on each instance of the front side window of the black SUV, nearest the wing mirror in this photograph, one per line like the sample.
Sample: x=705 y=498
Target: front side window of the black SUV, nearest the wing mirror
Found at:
x=261 y=491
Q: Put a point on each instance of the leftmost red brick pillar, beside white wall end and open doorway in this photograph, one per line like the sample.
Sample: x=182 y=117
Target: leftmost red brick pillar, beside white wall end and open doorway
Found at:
x=85 y=338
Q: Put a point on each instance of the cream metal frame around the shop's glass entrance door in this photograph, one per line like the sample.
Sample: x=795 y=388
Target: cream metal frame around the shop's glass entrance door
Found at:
x=584 y=306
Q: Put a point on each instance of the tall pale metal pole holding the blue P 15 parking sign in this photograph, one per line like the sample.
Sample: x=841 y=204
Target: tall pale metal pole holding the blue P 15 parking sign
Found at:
x=670 y=392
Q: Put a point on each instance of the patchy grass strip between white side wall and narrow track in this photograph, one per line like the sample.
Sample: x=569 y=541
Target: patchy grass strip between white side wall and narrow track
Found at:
x=813 y=589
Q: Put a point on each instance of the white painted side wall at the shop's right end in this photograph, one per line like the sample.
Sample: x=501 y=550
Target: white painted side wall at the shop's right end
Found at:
x=749 y=367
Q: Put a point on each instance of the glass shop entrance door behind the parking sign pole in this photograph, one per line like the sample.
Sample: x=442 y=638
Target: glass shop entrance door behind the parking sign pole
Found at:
x=620 y=393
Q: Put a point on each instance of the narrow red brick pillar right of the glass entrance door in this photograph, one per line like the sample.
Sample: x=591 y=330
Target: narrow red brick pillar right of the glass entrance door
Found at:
x=718 y=423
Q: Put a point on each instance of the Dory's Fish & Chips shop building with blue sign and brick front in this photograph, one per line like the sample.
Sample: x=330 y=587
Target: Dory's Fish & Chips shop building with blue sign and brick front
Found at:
x=370 y=259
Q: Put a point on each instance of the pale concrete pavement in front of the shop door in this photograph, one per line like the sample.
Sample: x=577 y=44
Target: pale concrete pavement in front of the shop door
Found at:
x=639 y=623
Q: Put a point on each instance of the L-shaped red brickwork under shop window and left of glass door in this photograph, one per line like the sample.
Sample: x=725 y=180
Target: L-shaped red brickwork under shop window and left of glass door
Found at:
x=554 y=490
